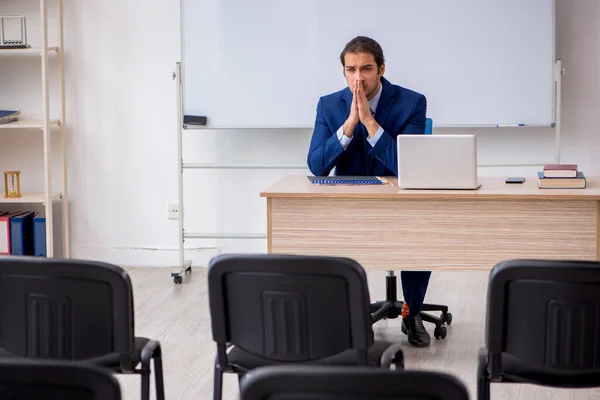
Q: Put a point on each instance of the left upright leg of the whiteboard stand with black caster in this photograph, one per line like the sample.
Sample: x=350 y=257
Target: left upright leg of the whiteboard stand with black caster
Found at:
x=185 y=267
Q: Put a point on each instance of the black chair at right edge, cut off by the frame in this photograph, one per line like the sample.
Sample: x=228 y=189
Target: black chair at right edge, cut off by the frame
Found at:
x=543 y=320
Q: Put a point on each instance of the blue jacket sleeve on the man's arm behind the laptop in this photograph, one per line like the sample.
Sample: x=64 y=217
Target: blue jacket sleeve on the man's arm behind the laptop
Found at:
x=386 y=149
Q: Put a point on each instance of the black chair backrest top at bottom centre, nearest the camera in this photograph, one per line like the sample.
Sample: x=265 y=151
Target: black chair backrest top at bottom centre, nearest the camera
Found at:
x=294 y=382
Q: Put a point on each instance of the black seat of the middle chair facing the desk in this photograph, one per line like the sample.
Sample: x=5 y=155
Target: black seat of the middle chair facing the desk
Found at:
x=246 y=361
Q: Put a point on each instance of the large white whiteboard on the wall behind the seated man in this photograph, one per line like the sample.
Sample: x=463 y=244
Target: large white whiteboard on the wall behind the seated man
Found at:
x=265 y=63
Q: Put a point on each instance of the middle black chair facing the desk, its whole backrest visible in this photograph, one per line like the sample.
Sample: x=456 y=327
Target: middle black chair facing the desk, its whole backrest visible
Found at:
x=271 y=309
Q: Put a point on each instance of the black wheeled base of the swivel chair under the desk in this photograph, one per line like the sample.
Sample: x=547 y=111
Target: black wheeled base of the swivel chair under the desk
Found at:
x=391 y=308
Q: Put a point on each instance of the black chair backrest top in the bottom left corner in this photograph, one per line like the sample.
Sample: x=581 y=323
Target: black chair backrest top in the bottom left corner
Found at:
x=27 y=379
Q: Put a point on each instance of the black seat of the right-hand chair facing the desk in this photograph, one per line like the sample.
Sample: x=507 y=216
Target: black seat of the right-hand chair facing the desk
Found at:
x=518 y=370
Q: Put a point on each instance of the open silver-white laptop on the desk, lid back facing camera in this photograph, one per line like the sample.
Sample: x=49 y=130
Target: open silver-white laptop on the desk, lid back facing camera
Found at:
x=437 y=162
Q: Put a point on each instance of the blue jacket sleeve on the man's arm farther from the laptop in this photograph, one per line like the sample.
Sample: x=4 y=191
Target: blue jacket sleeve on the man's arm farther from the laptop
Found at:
x=325 y=148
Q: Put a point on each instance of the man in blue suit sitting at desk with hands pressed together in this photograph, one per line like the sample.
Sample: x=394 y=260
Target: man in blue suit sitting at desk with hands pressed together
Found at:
x=355 y=133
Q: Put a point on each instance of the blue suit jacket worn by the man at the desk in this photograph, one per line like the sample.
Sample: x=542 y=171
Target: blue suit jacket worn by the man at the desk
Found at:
x=399 y=111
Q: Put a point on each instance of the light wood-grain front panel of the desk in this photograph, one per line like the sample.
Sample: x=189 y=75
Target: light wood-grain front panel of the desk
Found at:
x=435 y=234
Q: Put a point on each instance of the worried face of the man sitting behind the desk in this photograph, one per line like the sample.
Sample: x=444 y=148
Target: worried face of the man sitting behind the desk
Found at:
x=362 y=66
